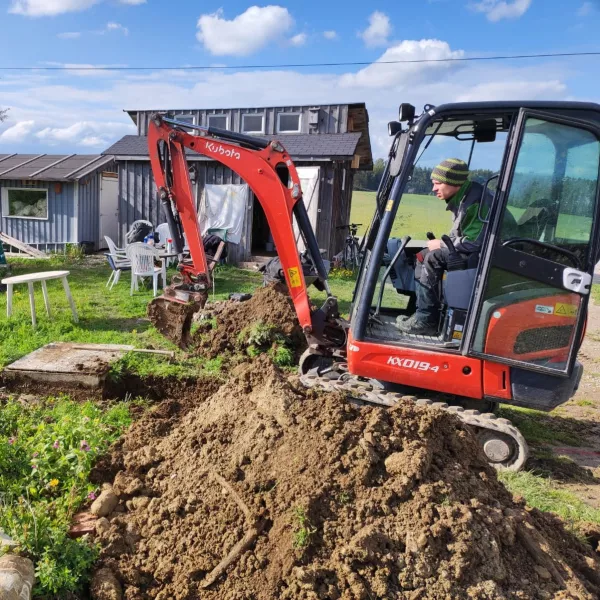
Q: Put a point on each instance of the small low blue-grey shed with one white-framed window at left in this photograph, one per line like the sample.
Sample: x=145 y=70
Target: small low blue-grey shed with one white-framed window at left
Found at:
x=49 y=201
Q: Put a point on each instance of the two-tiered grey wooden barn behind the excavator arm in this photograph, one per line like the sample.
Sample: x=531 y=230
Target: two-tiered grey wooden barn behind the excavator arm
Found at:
x=328 y=144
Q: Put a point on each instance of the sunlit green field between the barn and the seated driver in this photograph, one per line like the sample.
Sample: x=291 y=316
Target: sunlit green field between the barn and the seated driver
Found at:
x=416 y=216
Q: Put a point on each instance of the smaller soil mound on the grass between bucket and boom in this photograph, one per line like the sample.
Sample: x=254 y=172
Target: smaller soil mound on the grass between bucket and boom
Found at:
x=269 y=305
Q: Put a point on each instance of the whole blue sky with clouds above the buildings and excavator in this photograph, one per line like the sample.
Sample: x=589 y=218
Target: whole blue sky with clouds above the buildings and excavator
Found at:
x=82 y=111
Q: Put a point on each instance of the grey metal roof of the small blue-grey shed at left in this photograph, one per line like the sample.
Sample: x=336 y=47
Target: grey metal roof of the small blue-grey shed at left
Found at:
x=50 y=167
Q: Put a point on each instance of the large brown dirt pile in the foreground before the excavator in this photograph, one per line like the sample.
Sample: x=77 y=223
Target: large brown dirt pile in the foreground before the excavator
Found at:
x=267 y=490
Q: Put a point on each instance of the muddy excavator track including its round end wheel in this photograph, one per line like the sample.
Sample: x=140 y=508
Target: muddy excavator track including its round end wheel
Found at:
x=502 y=443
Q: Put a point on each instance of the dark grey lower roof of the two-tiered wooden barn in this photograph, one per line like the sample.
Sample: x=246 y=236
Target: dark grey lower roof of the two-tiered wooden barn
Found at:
x=299 y=146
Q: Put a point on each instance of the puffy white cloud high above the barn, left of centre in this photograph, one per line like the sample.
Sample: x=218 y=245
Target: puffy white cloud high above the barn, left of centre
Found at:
x=246 y=33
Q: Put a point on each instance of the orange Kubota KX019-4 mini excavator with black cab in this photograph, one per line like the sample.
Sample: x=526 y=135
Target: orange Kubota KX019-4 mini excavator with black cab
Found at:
x=513 y=315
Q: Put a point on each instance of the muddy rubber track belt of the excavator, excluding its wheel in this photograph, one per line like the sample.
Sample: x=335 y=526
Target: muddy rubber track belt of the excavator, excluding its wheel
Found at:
x=481 y=422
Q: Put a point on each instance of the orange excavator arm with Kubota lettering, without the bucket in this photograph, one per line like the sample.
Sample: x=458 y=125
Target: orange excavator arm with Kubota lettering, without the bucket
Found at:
x=271 y=175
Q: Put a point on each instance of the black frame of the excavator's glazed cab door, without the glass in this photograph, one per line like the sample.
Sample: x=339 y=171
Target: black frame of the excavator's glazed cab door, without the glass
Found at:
x=489 y=256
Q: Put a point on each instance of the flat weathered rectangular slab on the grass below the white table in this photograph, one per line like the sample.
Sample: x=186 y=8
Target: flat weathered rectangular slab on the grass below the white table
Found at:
x=68 y=362
